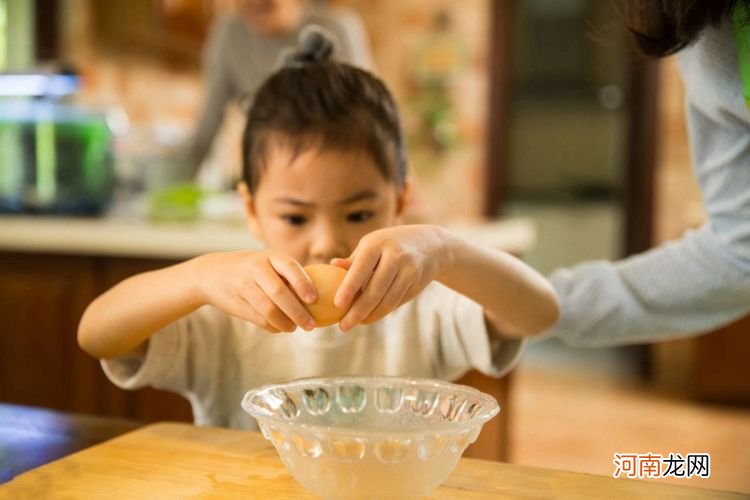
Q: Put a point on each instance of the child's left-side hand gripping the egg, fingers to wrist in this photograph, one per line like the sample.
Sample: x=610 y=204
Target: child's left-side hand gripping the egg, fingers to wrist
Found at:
x=259 y=287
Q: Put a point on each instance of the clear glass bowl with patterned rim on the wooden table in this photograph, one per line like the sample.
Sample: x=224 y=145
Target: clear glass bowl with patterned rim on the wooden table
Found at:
x=370 y=437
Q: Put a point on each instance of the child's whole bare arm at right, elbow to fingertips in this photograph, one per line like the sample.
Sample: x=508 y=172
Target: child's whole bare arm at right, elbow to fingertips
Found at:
x=397 y=263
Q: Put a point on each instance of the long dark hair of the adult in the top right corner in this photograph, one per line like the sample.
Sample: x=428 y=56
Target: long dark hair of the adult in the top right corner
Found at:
x=663 y=27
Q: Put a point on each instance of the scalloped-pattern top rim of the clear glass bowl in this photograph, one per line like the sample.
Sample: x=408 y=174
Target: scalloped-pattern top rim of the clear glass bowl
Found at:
x=493 y=407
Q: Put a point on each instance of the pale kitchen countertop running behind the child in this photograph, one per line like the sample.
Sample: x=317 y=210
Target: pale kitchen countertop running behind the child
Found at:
x=132 y=236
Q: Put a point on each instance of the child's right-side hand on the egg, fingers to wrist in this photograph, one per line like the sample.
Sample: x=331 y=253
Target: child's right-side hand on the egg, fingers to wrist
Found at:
x=390 y=267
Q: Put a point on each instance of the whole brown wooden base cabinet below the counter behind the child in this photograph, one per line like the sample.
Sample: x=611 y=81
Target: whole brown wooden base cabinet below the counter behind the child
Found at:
x=42 y=298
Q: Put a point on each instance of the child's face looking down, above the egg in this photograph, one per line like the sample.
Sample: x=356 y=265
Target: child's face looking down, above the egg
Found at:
x=317 y=206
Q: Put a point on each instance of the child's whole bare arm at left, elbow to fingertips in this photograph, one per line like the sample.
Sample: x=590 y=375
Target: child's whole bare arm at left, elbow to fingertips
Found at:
x=249 y=285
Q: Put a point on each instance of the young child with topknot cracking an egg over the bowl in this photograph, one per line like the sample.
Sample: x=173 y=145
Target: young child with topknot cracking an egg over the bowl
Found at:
x=324 y=182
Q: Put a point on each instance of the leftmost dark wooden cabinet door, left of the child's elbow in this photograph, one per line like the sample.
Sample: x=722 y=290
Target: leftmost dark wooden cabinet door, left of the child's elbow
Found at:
x=41 y=301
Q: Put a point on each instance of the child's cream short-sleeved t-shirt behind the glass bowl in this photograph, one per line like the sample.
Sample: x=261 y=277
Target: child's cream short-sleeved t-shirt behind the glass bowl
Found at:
x=212 y=358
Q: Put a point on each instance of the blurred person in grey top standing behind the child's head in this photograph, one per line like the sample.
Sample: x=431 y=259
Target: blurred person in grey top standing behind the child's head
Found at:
x=242 y=50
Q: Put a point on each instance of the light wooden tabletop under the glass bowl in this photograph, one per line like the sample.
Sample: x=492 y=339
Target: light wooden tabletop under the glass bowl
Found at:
x=170 y=460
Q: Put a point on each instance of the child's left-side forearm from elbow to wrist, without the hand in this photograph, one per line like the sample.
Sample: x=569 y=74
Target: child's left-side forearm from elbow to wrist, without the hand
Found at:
x=125 y=316
